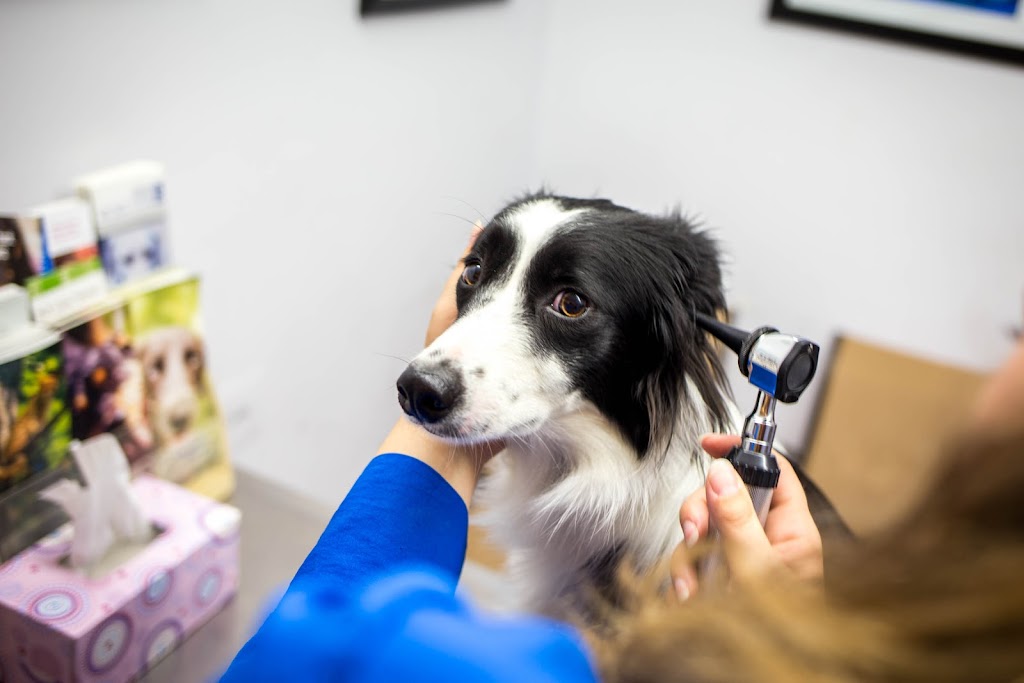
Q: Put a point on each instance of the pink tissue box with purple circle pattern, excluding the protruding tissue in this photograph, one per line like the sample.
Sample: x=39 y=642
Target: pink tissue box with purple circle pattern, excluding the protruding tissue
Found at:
x=59 y=625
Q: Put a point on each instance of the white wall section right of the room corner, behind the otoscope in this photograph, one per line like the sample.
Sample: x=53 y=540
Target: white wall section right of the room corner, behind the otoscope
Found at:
x=857 y=186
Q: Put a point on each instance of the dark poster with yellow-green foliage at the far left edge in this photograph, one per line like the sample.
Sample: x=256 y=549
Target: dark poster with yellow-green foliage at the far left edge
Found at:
x=35 y=434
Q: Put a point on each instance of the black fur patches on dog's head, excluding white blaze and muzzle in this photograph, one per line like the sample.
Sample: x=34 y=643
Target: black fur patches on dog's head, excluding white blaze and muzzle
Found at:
x=645 y=278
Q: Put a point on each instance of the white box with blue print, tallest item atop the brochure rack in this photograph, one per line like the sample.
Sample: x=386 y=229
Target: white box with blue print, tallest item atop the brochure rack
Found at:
x=130 y=209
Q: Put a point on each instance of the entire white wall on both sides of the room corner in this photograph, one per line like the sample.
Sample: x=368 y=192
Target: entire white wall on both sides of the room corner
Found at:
x=314 y=160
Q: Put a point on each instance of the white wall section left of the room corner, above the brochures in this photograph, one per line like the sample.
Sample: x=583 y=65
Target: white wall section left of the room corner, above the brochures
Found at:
x=314 y=160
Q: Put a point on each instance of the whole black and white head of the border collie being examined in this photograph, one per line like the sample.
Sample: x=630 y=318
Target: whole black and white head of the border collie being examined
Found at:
x=565 y=303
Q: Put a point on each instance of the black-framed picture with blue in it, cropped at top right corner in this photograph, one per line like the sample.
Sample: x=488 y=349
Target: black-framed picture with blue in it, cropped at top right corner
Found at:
x=993 y=29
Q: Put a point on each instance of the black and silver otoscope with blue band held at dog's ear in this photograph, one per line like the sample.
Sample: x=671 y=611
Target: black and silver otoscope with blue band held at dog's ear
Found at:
x=781 y=367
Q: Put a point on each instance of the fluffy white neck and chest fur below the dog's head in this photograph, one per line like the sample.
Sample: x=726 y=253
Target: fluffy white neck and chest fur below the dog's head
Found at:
x=575 y=496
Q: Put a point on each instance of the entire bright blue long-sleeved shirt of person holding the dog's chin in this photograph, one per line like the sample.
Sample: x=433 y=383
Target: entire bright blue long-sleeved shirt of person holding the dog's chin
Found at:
x=375 y=601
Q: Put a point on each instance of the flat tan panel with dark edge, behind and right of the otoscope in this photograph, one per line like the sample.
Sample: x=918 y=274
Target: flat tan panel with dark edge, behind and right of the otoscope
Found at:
x=881 y=416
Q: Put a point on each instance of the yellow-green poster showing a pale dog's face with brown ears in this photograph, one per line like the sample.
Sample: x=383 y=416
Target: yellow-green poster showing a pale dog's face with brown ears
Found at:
x=189 y=443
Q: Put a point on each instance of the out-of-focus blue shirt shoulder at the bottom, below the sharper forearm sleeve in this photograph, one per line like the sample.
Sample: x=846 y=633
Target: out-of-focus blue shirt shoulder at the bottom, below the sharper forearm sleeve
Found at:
x=407 y=626
